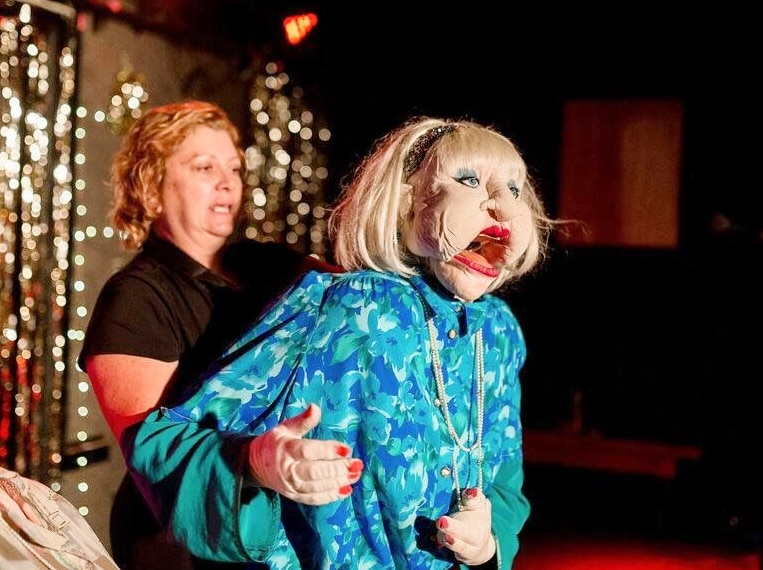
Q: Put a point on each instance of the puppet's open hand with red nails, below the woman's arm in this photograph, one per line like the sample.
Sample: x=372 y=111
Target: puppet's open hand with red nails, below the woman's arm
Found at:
x=309 y=471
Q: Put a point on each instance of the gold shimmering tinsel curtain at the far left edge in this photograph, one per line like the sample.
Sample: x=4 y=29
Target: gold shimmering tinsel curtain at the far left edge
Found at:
x=36 y=87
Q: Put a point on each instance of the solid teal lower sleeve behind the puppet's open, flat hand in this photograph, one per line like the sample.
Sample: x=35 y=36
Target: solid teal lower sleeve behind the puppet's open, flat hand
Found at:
x=191 y=476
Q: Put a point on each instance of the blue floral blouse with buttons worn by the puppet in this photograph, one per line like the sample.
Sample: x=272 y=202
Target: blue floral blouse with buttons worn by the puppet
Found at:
x=357 y=345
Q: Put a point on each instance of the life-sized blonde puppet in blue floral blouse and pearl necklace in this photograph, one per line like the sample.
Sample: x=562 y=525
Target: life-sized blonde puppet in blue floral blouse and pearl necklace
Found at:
x=409 y=358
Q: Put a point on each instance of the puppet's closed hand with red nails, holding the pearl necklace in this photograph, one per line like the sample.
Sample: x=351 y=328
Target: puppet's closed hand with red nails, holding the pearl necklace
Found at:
x=467 y=533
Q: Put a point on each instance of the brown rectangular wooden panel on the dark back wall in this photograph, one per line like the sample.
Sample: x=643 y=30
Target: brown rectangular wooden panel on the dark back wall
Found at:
x=621 y=173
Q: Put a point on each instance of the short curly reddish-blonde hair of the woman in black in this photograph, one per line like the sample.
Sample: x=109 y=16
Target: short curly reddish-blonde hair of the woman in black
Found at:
x=138 y=168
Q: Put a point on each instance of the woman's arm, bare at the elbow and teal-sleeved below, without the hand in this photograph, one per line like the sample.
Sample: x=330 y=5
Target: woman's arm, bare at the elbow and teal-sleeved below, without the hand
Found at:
x=182 y=460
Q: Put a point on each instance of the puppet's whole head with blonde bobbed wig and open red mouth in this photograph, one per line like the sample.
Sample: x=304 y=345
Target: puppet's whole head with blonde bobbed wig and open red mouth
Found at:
x=452 y=198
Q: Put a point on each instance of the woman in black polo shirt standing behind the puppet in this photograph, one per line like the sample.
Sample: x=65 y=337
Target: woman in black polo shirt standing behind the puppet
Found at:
x=188 y=290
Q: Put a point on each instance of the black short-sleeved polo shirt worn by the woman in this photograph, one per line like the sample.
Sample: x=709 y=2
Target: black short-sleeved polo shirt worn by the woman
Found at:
x=165 y=305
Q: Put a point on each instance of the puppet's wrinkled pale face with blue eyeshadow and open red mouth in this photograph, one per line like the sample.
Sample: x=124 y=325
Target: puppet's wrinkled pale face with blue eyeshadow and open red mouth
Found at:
x=468 y=222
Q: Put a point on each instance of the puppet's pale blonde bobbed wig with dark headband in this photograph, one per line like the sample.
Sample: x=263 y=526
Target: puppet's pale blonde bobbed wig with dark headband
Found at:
x=367 y=223
